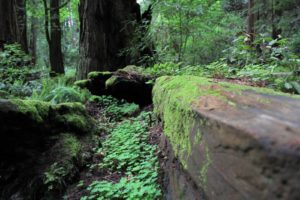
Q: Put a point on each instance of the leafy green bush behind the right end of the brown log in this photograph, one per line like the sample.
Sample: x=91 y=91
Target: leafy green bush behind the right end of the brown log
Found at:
x=267 y=60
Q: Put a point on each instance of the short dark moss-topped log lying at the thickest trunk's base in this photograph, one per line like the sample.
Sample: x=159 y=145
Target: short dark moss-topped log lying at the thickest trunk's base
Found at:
x=131 y=83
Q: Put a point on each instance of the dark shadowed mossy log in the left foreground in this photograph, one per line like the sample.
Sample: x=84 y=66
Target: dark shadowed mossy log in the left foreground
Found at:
x=40 y=147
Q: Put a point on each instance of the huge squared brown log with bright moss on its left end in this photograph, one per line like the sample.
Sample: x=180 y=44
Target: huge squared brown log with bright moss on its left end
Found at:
x=231 y=141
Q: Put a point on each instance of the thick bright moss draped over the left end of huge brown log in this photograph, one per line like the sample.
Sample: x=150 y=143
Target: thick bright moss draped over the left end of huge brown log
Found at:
x=173 y=98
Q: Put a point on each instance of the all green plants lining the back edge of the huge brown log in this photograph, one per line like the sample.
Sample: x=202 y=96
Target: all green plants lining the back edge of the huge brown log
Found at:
x=274 y=65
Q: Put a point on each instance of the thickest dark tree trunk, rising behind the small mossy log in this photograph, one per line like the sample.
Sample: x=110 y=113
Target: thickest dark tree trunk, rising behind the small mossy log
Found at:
x=104 y=32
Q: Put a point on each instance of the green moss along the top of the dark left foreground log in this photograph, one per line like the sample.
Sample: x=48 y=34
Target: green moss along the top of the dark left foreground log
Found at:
x=65 y=116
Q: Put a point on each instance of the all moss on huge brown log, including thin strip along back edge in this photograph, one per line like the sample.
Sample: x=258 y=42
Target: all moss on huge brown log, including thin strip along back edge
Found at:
x=174 y=98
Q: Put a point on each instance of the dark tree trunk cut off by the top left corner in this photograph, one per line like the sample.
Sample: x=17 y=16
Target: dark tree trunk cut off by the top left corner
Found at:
x=13 y=23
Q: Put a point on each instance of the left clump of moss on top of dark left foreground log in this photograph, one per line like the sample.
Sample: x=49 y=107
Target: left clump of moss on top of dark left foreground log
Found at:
x=36 y=110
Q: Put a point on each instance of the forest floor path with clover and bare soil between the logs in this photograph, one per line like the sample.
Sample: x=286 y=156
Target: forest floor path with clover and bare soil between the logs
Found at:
x=125 y=164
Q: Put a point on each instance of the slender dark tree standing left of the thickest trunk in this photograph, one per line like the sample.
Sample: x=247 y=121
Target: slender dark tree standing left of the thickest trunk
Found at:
x=54 y=35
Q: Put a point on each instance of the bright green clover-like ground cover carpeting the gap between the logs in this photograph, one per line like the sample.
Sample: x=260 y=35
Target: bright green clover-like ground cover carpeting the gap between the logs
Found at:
x=127 y=151
